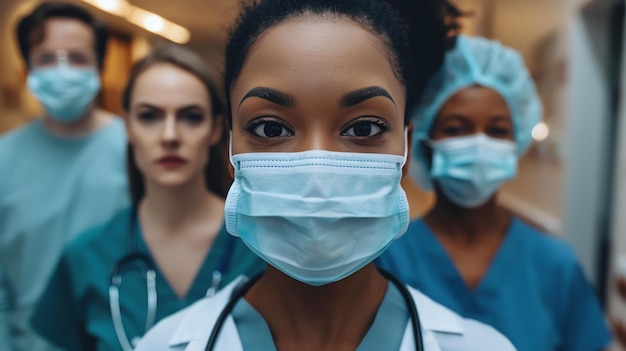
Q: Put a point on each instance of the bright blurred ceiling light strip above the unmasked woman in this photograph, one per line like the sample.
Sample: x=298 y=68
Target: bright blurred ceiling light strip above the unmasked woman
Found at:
x=144 y=19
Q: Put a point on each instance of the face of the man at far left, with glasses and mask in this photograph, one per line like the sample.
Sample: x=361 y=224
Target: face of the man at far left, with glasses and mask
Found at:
x=63 y=70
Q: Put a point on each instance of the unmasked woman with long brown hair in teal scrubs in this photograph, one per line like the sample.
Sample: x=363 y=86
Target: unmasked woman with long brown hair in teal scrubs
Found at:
x=170 y=248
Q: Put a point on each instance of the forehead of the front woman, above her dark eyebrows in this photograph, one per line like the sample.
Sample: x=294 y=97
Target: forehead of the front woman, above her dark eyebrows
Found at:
x=305 y=53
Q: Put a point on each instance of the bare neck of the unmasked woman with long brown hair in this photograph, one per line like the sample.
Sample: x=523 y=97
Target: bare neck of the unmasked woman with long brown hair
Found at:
x=173 y=208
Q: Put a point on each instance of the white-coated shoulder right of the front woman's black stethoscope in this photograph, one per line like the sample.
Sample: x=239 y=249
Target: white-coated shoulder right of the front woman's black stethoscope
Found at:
x=455 y=333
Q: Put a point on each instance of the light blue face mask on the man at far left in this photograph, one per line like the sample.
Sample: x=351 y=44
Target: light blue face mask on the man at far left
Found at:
x=65 y=92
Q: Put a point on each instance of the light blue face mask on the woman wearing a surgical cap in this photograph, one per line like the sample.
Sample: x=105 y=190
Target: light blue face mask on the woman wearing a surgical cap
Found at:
x=469 y=170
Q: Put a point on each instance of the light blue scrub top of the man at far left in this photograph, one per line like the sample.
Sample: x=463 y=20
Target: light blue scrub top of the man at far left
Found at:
x=51 y=189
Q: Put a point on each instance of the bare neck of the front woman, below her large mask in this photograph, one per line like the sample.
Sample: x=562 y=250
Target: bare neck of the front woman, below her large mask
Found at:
x=329 y=317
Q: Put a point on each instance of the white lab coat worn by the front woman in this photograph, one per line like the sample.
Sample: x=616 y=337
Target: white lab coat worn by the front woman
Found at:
x=442 y=329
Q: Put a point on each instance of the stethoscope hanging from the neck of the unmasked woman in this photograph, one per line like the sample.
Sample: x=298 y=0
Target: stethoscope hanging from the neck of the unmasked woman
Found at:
x=142 y=262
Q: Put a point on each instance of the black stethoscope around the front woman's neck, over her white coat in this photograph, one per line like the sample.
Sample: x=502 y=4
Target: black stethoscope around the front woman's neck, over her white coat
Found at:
x=241 y=291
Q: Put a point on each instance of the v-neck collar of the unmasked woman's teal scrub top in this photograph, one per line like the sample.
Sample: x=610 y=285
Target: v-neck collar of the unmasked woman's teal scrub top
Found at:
x=202 y=281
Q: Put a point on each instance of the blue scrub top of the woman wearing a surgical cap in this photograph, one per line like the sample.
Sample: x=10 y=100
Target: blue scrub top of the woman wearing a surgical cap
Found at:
x=534 y=292
